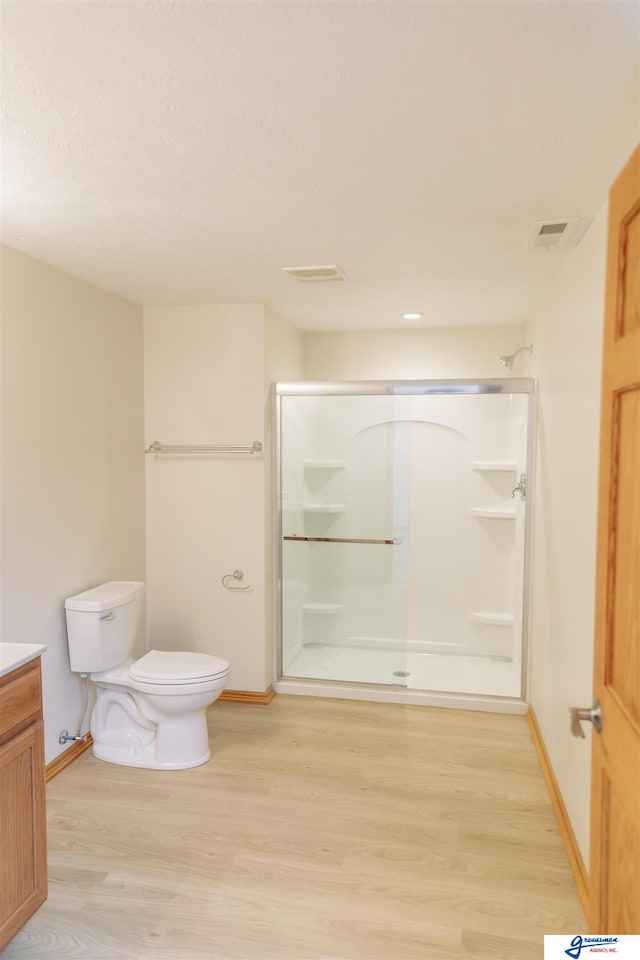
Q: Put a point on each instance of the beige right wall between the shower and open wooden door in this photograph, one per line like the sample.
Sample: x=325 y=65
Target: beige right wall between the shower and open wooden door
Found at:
x=567 y=333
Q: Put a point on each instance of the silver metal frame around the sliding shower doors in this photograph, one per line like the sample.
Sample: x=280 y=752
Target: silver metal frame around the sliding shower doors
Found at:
x=506 y=385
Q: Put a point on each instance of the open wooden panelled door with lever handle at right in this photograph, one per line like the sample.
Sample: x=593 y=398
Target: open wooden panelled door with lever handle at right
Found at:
x=615 y=785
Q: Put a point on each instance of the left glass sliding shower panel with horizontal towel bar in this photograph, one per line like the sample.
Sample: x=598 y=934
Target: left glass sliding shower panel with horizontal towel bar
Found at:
x=344 y=469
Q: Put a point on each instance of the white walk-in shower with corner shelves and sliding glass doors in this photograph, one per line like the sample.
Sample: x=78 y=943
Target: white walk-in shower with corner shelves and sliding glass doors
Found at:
x=403 y=533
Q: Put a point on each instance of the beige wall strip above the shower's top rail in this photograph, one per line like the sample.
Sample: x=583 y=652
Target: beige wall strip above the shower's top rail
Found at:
x=431 y=353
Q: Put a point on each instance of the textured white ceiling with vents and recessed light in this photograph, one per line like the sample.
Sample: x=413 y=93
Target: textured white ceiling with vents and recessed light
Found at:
x=183 y=152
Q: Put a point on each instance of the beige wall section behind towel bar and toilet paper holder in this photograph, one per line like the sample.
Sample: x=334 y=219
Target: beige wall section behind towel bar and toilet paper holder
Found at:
x=204 y=384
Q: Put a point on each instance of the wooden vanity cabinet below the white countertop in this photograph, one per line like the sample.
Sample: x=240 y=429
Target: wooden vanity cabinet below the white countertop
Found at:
x=23 y=851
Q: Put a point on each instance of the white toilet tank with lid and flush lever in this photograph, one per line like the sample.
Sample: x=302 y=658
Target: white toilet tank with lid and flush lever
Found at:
x=102 y=624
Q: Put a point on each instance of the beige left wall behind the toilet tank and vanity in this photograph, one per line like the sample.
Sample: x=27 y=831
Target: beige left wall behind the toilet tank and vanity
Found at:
x=72 y=468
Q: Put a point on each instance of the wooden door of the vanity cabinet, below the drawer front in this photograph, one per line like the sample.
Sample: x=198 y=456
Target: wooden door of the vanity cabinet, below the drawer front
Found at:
x=23 y=860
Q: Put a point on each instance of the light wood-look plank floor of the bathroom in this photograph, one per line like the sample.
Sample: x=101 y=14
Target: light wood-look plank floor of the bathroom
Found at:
x=320 y=830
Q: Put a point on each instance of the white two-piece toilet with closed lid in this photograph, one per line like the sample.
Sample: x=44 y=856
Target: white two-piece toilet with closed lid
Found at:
x=149 y=712
